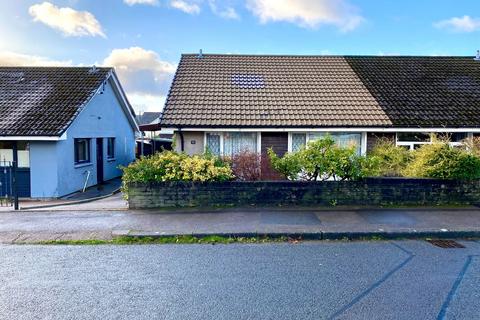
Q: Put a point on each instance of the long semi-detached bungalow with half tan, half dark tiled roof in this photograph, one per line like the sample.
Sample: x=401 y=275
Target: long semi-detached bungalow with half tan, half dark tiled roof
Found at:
x=225 y=103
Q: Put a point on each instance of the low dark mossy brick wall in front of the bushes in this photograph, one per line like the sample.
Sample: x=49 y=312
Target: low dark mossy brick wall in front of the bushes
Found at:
x=368 y=192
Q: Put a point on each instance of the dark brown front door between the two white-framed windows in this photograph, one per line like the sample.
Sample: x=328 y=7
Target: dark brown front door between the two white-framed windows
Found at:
x=278 y=141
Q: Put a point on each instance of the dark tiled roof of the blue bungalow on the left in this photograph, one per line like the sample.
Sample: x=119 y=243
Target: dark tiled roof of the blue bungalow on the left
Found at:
x=43 y=101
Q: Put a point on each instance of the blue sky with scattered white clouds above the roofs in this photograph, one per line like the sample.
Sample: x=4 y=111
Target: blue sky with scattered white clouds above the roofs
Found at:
x=143 y=39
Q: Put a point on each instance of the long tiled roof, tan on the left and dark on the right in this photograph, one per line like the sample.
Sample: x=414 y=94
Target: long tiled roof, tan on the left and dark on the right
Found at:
x=324 y=91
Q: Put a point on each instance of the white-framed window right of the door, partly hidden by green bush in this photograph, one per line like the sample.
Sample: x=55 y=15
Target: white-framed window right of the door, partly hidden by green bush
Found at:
x=297 y=139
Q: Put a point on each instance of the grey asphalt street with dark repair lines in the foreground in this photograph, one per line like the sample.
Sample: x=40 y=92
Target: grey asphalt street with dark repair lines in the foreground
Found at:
x=309 y=280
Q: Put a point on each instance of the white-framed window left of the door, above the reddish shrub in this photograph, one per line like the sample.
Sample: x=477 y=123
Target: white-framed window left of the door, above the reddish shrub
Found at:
x=229 y=143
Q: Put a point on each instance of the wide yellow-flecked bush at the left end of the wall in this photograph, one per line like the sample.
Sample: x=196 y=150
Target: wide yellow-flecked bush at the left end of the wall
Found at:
x=173 y=166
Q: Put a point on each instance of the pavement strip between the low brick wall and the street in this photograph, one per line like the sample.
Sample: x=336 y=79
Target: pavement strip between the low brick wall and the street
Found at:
x=28 y=226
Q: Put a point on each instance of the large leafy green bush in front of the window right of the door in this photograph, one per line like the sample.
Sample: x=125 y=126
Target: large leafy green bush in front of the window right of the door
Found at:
x=322 y=160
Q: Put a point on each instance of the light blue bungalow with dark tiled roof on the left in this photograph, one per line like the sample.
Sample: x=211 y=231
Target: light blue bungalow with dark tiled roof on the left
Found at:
x=66 y=127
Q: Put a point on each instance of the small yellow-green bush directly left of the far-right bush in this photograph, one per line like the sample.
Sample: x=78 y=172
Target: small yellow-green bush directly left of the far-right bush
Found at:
x=386 y=159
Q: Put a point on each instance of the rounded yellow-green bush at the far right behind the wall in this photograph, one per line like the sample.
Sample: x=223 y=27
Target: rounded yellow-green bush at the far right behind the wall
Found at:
x=440 y=160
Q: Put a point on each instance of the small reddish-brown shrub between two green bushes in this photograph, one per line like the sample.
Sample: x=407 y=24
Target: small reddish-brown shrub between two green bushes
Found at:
x=246 y=166
